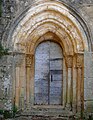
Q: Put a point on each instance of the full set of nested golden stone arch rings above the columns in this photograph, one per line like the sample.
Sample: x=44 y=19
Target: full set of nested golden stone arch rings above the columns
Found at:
x=50 y=17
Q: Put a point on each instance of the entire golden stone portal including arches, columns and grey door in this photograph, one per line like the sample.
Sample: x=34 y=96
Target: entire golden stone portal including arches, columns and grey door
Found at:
x=52 y=50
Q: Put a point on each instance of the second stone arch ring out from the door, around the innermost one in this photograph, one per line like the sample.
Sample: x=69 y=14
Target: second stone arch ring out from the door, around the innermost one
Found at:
x=48 y=27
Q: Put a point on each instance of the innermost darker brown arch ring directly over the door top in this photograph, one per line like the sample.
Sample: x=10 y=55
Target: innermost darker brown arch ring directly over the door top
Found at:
x=57 y=39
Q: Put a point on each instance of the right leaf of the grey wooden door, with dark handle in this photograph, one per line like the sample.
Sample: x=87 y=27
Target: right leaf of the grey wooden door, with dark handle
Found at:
x=55 y=73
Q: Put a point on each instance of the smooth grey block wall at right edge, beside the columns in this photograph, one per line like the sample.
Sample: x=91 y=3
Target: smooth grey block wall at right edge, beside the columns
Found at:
x=88 y=81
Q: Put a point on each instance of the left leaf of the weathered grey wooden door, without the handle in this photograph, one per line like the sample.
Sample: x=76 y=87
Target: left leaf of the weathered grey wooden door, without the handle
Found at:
x=41 y=73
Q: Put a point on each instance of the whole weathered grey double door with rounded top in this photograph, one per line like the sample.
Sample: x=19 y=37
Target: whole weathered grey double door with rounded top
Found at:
x=48 y=74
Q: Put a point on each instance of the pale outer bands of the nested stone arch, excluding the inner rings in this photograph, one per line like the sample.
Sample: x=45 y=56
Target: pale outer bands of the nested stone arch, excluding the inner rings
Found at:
x=58 y=13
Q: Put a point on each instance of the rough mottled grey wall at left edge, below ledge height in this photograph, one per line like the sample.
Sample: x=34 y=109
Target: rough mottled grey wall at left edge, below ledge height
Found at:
x=6 y=83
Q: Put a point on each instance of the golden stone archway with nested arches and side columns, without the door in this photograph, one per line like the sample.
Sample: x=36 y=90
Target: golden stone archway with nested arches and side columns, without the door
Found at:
x=50 y=20
